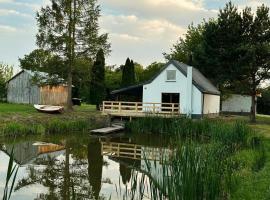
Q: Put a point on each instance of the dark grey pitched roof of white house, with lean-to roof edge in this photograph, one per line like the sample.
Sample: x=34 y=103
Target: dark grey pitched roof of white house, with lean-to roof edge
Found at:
x=199 y=80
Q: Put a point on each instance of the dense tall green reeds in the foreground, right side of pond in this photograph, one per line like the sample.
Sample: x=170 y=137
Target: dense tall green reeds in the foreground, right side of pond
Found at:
x=194 y=172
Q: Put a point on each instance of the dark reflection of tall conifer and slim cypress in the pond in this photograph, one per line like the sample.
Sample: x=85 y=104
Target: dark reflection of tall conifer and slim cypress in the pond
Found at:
x=68 y=177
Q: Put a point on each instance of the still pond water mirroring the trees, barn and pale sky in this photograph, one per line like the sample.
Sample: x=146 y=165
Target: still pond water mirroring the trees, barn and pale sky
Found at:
x=80 y=166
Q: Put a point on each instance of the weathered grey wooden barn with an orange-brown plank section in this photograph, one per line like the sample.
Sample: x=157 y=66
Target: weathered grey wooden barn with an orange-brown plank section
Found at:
x=22 y=89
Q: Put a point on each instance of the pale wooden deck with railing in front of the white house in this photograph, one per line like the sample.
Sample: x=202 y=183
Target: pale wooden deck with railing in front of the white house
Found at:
x=139 y=109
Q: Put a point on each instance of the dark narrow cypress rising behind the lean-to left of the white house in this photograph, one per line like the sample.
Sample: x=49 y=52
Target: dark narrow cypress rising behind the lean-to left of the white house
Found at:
x=128 y=73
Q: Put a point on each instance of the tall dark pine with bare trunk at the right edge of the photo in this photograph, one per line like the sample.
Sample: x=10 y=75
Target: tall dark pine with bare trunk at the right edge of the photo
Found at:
x=256 y=44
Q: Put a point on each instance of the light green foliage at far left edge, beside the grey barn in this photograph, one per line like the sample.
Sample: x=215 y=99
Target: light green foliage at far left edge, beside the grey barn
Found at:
x=6 y=72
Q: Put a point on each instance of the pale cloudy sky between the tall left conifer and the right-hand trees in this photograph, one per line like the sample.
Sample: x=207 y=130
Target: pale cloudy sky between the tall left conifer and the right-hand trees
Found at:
x=144 y=29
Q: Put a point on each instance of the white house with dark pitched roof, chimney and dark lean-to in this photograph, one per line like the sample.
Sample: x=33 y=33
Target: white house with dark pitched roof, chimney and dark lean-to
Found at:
x=180 y=84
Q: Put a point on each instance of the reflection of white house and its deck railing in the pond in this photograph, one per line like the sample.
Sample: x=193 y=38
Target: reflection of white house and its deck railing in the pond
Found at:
x=133 y=156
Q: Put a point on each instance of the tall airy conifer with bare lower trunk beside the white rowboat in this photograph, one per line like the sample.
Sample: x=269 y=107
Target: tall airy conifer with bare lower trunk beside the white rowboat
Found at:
x=69 y=28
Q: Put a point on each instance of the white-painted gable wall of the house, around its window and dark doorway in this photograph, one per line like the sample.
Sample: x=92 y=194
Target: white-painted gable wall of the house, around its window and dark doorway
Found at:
x=152 y=92
